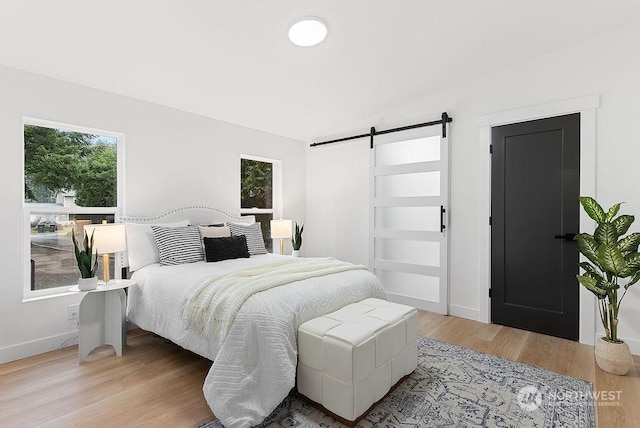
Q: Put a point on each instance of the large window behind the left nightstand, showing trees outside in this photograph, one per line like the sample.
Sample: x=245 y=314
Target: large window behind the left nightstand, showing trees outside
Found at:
x=71 y=178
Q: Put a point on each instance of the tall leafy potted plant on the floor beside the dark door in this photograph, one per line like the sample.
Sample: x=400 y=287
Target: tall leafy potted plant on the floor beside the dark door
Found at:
x=613 y=267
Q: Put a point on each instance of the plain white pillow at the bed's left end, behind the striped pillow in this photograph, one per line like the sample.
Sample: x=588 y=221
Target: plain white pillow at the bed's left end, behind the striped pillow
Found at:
x=141 y=245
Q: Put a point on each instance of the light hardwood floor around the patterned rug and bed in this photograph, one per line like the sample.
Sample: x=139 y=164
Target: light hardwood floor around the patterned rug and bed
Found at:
x=158 y=384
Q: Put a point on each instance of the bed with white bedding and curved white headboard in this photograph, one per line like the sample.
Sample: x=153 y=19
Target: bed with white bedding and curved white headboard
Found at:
x=254 y=360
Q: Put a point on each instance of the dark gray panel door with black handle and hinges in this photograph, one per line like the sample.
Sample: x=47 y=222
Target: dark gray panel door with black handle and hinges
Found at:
x=535 y=185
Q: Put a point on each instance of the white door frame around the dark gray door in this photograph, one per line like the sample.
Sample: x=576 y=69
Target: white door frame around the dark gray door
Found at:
x=587 y=107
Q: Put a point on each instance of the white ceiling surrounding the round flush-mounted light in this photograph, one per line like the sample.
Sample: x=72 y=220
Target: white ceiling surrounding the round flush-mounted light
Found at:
x=231 y=60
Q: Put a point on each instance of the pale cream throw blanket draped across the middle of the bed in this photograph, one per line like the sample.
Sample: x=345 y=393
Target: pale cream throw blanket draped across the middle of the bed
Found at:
x=212 y=309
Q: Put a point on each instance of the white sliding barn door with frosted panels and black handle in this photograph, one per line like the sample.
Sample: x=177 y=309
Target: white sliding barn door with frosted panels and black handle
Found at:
x=409 y=210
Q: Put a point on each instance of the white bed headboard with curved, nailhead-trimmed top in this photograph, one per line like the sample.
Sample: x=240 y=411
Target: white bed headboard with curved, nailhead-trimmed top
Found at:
x=194 y=214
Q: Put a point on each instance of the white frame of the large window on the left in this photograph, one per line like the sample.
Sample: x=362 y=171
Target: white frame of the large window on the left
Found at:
x=30 y=209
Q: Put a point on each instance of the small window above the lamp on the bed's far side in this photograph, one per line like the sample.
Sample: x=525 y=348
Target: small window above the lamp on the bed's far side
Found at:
x=260 y=192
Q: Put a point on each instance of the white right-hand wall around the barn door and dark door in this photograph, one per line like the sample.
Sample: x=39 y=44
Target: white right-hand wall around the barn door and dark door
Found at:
x=603 y=65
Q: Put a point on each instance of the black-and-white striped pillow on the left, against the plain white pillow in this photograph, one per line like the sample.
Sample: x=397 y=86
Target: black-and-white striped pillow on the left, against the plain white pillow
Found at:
x=178 y=245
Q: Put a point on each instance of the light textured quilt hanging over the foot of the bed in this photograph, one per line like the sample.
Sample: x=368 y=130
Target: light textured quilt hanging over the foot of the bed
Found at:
x=255 y=368
